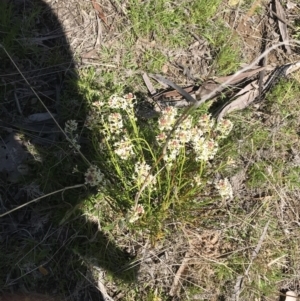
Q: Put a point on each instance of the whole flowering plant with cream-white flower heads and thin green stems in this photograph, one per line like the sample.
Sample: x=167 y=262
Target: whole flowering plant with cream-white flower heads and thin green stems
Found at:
x=154 y=165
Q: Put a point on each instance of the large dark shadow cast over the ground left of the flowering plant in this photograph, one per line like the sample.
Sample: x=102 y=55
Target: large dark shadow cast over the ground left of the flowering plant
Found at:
x=40 y=253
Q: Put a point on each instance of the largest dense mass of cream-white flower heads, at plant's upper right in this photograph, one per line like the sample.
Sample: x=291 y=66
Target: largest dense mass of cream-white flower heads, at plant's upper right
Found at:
x=198 y=135
